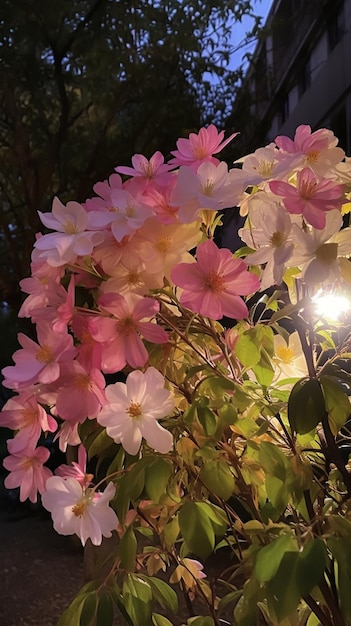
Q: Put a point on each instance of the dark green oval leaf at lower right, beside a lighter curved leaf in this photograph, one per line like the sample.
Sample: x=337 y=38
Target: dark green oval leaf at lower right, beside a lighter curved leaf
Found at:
x=311 y=565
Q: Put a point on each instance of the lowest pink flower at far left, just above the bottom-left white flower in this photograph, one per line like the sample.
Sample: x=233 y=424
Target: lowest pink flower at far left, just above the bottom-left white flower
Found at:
x=27 y=471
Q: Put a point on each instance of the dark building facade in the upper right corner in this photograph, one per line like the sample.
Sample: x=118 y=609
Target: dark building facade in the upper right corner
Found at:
x=300 y=73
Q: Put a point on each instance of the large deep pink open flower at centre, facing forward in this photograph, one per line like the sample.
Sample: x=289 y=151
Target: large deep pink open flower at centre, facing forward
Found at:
x=213 y=284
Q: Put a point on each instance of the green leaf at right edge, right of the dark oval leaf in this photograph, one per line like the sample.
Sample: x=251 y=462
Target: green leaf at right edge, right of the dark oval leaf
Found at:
x=337 y=402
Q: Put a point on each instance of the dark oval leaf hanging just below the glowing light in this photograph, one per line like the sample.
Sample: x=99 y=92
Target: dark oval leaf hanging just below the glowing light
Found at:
x=306 y=405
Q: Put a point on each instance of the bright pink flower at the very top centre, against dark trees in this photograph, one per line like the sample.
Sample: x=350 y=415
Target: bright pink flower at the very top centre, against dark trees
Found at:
x=199 y=148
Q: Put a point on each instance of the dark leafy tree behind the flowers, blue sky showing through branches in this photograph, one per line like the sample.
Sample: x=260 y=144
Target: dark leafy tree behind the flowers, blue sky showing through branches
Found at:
x=89 y=84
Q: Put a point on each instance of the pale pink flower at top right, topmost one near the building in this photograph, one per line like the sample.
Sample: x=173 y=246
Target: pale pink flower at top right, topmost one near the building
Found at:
x=316 y=149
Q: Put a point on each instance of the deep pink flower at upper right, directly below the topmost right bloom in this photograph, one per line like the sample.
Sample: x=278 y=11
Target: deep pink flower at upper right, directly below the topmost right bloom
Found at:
x=311 y=198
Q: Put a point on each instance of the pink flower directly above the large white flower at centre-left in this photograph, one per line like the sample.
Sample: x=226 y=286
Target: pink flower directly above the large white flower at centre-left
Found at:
x=121 y=333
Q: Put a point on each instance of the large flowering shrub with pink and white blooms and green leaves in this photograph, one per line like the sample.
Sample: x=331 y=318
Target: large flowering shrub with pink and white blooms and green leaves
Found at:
x=208 y=390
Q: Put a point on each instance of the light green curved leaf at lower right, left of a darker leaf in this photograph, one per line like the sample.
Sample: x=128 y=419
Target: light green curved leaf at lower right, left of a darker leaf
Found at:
x=269 y=558
